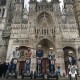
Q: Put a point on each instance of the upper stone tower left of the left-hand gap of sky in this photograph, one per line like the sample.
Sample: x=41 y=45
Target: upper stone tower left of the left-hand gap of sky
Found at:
x=17 y=17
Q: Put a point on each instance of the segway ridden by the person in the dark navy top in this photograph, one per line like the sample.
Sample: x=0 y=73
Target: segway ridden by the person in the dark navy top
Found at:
x=38 y=73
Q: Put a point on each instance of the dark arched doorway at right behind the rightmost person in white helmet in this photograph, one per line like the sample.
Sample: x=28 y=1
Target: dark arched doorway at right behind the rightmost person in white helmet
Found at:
x=69 y=52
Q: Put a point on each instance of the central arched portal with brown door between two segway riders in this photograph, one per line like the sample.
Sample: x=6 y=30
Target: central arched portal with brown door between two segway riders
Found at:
x=45 y=46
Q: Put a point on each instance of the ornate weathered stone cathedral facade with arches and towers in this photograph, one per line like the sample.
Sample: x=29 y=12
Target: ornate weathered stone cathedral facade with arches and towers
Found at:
x=43 y=25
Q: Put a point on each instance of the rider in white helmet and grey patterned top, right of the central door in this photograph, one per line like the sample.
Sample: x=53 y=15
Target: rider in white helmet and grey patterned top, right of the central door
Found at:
x=51 y=56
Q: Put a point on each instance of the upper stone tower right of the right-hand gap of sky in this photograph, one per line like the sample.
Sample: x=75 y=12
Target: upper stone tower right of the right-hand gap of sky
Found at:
x=68 y=6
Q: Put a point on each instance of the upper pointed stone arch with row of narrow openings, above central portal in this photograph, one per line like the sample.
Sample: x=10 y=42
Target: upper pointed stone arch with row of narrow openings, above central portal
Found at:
x=44 y=25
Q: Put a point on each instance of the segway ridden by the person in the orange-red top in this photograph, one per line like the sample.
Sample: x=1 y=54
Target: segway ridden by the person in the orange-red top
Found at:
x=26 y=73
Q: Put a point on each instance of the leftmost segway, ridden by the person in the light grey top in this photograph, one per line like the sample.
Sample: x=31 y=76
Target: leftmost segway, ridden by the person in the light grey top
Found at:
x=12 y=70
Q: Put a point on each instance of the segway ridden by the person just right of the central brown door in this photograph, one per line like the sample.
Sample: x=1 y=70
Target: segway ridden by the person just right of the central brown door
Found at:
x=51 y=73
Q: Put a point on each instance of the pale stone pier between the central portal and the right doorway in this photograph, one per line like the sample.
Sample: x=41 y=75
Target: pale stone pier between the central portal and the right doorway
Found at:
x=60 y=60
